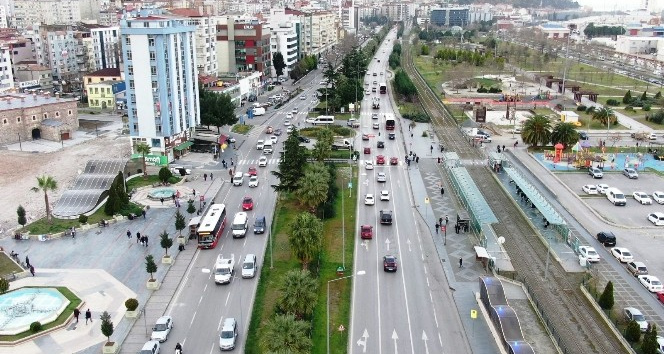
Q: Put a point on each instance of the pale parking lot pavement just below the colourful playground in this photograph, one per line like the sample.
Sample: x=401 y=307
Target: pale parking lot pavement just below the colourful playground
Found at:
x=631 y=215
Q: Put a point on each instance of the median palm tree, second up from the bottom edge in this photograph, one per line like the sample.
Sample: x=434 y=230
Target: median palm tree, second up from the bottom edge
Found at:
x=298 y=293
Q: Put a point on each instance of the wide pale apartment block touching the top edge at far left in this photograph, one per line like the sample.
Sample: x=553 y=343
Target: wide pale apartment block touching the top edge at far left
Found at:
x=48 y=12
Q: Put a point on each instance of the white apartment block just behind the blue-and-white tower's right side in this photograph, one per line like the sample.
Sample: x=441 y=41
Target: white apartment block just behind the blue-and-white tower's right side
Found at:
x=206 y=41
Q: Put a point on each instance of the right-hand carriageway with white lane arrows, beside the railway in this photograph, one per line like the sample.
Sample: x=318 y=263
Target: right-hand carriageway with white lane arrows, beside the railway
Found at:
x=410 y=310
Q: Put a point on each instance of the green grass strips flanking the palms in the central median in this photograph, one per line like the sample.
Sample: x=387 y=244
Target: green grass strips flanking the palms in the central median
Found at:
x=331 y=257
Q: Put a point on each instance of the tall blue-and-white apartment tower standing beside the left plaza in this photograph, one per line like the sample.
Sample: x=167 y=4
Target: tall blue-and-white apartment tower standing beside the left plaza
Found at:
x=162 y=84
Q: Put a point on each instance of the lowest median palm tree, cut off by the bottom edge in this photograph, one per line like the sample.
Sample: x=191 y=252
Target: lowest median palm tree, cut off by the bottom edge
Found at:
x=284 y=333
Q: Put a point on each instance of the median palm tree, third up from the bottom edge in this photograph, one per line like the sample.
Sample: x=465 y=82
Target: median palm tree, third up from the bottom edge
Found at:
x=305 y=237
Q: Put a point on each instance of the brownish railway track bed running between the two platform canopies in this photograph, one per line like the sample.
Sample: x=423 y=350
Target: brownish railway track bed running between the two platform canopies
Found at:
x=573 y=322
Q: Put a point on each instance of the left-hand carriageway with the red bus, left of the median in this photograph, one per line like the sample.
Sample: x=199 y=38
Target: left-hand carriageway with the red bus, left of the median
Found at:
x=200 y=306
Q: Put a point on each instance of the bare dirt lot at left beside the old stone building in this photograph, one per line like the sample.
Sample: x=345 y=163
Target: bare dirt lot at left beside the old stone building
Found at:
x=20 y=169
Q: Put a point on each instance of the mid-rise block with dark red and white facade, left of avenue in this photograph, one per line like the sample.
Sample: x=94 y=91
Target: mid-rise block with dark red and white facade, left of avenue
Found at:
x=243 y=45
